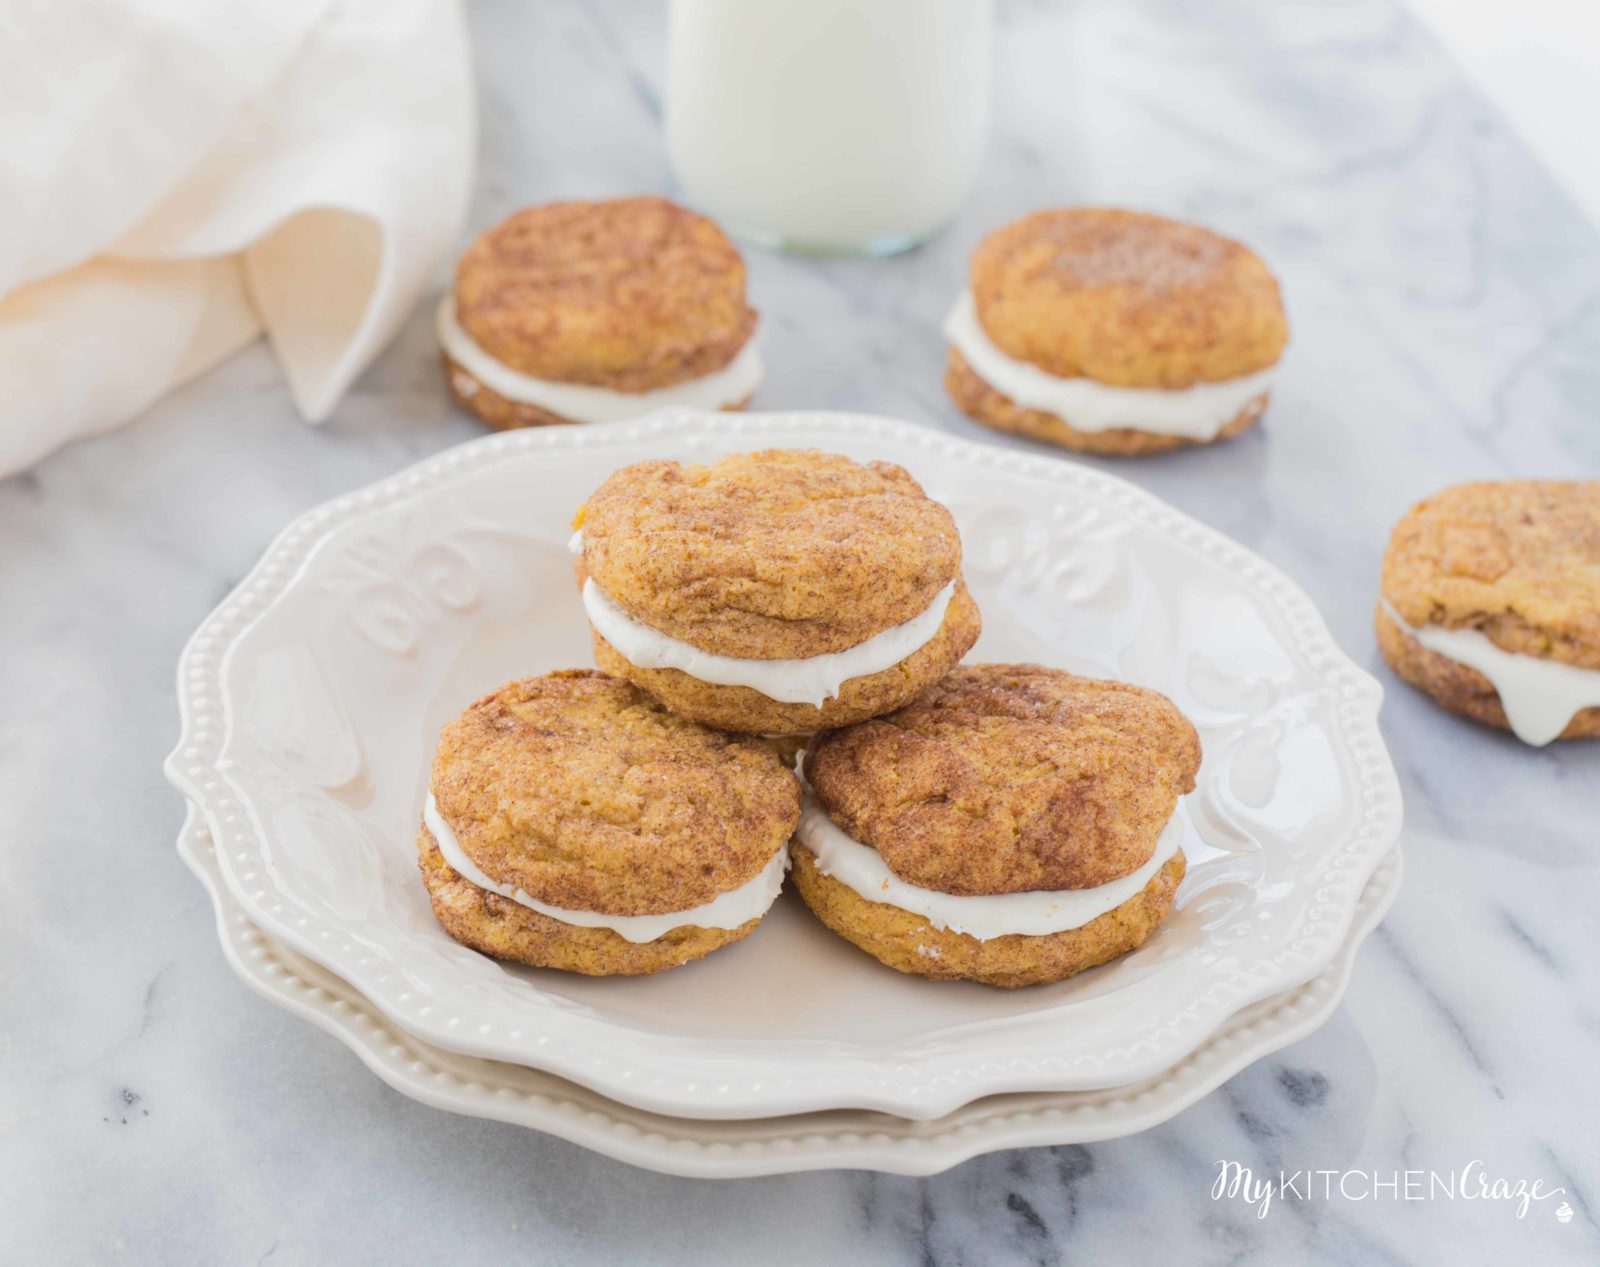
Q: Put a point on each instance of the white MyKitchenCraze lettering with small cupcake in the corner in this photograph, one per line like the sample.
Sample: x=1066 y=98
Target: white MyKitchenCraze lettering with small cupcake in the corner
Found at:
x=1471 y=1183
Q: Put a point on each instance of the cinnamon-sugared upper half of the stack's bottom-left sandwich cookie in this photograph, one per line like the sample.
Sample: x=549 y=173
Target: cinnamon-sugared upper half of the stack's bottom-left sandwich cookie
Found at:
x=586 y=794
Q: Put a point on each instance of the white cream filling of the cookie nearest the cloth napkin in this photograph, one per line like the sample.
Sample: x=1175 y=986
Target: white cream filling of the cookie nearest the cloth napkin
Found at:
x=585 y=404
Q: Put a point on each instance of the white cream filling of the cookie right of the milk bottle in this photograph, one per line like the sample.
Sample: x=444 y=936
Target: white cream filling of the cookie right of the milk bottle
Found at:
x=1194 y=414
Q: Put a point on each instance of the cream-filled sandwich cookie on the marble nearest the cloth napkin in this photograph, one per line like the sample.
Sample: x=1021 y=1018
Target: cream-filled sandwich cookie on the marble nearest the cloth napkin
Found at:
x=599 y=311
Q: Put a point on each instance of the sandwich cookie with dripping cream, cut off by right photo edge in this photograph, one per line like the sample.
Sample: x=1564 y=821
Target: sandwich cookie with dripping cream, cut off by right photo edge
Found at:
x=1490 y=604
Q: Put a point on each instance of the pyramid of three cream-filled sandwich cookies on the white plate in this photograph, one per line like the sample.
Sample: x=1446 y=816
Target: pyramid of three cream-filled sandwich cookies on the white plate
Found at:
x=1006 y=825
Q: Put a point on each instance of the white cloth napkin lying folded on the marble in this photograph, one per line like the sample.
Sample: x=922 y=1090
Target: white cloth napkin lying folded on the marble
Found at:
x=178 y=177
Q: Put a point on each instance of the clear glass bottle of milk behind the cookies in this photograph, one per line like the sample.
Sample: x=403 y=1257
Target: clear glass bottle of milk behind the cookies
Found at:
x=841 y=127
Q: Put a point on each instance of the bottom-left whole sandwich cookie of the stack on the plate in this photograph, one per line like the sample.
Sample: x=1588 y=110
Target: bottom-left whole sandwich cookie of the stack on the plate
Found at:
x=574 y=823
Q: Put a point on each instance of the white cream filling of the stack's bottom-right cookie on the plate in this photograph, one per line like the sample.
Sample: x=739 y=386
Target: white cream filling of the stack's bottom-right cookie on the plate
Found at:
x=1001 y=916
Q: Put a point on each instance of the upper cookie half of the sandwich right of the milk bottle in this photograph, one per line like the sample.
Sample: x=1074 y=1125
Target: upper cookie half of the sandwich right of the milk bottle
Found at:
x=1127 y=298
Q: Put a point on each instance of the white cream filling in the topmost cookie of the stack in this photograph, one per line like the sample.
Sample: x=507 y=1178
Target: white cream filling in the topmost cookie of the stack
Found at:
x=812 y=681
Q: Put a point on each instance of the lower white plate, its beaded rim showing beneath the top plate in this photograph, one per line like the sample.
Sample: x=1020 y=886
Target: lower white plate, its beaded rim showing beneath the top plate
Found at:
x=855 y=1140
